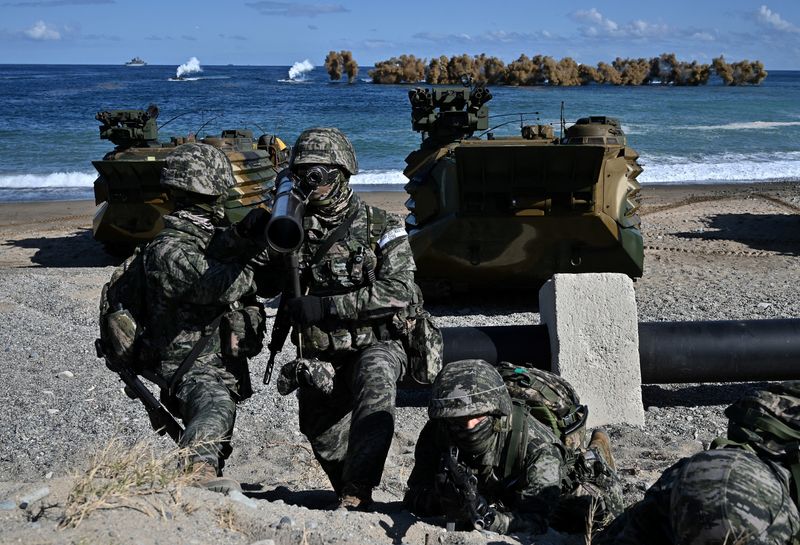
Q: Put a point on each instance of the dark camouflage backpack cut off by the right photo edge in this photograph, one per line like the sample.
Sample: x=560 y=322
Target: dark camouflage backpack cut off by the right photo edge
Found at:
x=767 y=422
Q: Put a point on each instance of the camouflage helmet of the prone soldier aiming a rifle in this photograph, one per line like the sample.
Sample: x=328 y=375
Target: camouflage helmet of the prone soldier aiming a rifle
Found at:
x=469 y=388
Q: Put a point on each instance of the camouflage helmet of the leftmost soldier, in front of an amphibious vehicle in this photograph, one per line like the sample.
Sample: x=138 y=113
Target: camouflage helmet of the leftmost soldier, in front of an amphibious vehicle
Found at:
x=198 y=168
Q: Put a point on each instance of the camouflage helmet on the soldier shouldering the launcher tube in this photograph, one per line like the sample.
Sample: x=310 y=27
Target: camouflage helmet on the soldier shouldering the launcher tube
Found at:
x=327 y=146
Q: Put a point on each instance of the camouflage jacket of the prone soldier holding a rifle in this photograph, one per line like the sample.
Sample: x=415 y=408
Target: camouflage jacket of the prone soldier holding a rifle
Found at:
x=522 y=502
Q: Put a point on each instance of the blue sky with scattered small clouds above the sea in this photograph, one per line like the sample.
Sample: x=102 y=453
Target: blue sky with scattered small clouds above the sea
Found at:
x=282 y=33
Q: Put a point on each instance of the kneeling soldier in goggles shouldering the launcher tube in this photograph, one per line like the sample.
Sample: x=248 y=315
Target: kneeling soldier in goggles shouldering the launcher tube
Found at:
x=357 y=276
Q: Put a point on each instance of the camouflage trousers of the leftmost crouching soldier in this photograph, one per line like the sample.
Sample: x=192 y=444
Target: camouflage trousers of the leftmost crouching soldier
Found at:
x=206 y=402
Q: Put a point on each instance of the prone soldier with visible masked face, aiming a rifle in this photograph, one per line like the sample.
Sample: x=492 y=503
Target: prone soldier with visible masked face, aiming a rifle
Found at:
x=523 y=479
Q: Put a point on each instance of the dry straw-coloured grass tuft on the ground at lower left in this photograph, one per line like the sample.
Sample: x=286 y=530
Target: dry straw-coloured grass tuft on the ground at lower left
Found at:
x=137 y=477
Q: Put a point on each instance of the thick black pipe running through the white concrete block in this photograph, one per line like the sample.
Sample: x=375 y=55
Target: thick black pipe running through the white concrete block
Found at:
x=669 y=352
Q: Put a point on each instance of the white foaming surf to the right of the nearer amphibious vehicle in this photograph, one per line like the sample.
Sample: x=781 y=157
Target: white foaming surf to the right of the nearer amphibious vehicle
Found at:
x=721 y=168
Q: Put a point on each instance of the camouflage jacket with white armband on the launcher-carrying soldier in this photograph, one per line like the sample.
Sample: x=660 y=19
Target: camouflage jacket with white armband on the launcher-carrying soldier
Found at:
x=367 y=275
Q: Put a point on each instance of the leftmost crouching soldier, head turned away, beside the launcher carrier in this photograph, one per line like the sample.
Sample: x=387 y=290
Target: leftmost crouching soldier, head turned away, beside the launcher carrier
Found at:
x=192 y=296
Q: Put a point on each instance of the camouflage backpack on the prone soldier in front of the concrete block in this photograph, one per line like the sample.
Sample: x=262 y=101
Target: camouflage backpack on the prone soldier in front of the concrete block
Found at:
x=549 y=399
